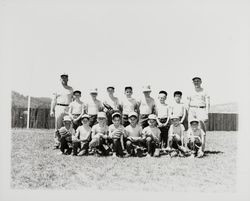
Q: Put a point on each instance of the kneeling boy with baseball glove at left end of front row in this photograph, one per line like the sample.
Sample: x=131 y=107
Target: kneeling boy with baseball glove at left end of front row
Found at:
x=66 y=133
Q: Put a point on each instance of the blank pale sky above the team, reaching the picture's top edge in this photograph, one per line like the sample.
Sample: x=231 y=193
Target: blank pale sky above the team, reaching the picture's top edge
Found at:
x=160 y=43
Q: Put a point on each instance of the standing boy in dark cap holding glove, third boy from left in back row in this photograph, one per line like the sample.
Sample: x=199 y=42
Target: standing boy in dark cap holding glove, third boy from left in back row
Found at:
x=111 y=104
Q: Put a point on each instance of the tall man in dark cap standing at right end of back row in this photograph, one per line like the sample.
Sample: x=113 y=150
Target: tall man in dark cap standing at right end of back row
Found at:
x=199 y=105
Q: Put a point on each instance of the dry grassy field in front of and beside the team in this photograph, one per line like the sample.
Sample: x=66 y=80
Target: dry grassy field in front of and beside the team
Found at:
x=34 y=165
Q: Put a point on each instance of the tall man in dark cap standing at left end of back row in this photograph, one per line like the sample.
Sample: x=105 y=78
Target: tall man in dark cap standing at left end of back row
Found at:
x=60 y=105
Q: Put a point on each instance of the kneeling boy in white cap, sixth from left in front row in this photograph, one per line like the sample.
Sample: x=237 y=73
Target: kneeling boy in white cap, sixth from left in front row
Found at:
x=152 y=136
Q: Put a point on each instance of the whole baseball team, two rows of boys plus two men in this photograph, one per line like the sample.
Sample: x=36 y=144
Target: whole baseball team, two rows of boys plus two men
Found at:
x=129 y=127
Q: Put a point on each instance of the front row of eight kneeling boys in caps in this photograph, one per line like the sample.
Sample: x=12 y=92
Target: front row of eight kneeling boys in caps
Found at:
x=104 y=140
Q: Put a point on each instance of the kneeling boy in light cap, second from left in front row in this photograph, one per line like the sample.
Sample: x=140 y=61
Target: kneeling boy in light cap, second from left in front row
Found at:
x=82 y=137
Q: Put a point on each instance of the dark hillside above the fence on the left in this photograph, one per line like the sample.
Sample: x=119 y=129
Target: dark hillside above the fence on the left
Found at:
x=19 y=100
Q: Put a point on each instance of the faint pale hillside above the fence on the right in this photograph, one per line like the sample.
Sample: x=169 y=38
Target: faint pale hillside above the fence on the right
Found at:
x=224 y=108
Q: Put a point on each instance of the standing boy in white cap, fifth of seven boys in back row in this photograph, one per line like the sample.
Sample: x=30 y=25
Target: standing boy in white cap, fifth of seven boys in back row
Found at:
x=146 y=106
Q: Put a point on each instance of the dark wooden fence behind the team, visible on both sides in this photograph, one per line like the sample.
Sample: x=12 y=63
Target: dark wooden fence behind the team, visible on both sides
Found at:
x=40 y=118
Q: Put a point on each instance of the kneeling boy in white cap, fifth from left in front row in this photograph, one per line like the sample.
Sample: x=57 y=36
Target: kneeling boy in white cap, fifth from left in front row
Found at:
x=133 y=133
